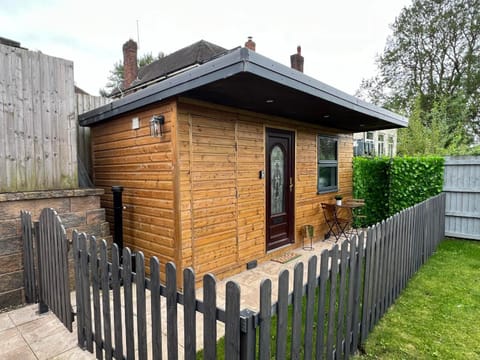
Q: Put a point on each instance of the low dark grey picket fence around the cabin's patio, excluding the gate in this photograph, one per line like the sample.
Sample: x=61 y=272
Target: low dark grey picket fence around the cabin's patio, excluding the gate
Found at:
x=326 y=317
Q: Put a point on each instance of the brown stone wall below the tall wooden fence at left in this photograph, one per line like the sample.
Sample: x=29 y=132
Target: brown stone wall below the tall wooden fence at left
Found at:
x=79 y=209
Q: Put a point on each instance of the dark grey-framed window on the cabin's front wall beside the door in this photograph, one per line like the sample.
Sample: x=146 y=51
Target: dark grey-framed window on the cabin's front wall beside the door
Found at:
x=327 y=163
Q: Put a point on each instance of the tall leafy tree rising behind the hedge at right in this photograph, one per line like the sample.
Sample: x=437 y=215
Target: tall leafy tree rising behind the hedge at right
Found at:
x=430 y=71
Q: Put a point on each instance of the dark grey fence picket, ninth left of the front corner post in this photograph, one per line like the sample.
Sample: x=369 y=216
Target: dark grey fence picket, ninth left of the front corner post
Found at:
x=106 y=316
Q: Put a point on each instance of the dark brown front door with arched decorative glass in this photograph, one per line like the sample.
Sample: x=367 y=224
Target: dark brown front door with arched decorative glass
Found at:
x=280 y=177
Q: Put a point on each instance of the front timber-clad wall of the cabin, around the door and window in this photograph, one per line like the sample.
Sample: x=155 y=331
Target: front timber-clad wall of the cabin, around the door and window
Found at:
x=222 y=197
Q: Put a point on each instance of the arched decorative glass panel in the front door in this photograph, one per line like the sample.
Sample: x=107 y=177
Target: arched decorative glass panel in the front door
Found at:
x=277 y=159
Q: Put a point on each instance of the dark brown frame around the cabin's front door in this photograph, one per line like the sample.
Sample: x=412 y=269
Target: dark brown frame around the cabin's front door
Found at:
x=290 y=199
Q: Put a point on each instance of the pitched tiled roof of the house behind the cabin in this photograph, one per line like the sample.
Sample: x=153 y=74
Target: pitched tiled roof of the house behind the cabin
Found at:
x=197 y=53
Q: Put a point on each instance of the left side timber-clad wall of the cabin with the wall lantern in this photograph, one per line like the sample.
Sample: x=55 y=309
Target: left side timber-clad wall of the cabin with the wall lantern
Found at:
x=143 y=166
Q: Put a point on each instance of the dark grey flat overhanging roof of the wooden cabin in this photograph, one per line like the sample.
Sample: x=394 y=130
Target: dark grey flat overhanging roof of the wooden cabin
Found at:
x=247 y=80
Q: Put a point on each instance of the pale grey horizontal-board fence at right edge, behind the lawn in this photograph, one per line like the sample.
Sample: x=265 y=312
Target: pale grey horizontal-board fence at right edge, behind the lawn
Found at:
x=462 y=188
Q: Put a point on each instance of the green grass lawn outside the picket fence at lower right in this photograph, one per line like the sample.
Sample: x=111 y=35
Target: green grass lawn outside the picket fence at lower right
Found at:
x=438 y=314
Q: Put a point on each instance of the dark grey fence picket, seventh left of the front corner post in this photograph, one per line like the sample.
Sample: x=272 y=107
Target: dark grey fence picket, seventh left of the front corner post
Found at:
x=127 y=293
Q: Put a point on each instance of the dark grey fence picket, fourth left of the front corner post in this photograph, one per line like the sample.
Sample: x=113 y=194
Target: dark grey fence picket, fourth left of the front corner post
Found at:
x=171 y=295
